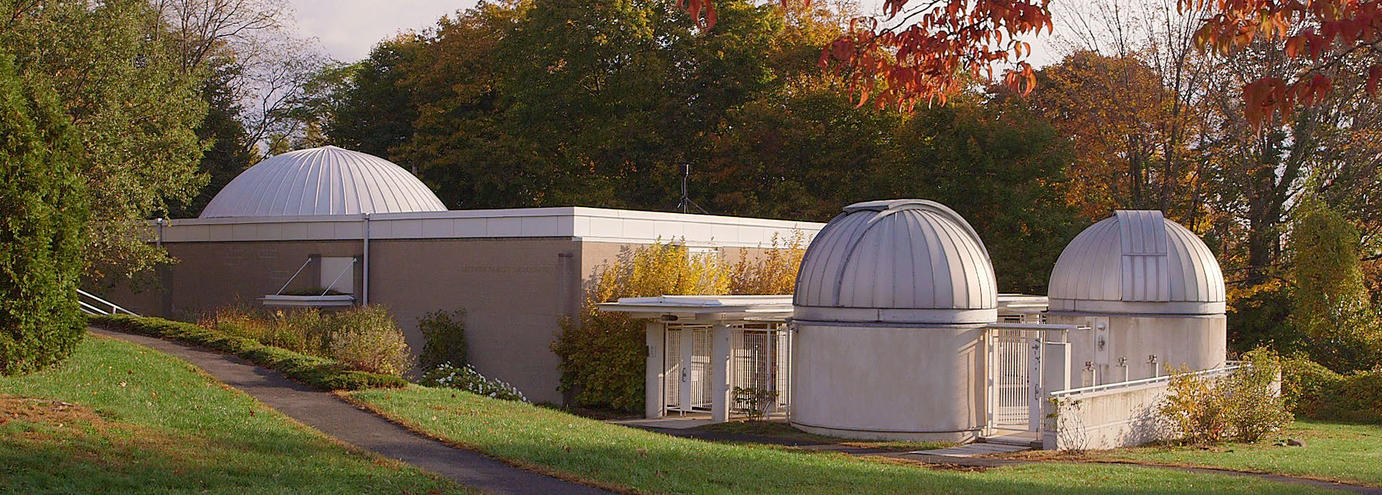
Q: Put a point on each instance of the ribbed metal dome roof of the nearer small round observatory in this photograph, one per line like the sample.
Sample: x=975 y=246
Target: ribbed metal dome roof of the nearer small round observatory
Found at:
x=902 y=261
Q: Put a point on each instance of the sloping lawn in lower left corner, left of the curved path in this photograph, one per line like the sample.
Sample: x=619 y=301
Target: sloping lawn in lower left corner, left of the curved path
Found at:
x=125 y=420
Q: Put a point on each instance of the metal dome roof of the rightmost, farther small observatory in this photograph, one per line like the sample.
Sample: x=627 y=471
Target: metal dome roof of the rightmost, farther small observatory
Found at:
x=1138 y=262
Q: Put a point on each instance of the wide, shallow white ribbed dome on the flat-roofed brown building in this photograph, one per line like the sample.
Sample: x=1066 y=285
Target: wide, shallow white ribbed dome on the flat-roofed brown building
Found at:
x=323 y=180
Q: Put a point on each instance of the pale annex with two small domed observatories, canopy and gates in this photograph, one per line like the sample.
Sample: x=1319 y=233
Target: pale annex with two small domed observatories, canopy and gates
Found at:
x=898 y=331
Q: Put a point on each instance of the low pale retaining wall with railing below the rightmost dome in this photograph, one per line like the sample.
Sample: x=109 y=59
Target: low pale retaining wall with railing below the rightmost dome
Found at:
x=1110 y=415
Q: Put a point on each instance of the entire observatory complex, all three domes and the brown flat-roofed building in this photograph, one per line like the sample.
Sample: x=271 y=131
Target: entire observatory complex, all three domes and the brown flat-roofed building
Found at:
x=896 y=328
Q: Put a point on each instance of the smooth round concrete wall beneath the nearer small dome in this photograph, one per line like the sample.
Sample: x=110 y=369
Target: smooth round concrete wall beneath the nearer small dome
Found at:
x=888 y=382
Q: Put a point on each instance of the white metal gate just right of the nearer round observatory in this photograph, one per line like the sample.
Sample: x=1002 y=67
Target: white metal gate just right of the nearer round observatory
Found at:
x=1015 y=359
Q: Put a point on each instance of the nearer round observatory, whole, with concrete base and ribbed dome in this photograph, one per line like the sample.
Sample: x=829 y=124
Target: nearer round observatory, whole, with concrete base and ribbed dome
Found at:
x=891 y=309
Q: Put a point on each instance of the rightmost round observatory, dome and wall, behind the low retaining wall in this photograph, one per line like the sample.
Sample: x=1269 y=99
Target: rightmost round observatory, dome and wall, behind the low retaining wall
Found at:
x=1148 y=294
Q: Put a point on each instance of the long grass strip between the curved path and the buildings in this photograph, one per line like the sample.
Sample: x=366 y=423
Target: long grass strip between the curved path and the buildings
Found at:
x=650 y=463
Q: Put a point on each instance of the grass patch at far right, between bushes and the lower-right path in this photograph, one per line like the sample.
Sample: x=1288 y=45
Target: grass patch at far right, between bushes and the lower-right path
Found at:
x=1333 y=451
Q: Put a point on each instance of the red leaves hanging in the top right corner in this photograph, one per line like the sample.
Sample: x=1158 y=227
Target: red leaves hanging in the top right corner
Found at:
x=1326 y=32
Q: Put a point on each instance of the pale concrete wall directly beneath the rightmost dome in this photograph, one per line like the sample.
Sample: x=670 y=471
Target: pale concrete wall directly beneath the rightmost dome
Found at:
x=1177 y=341
